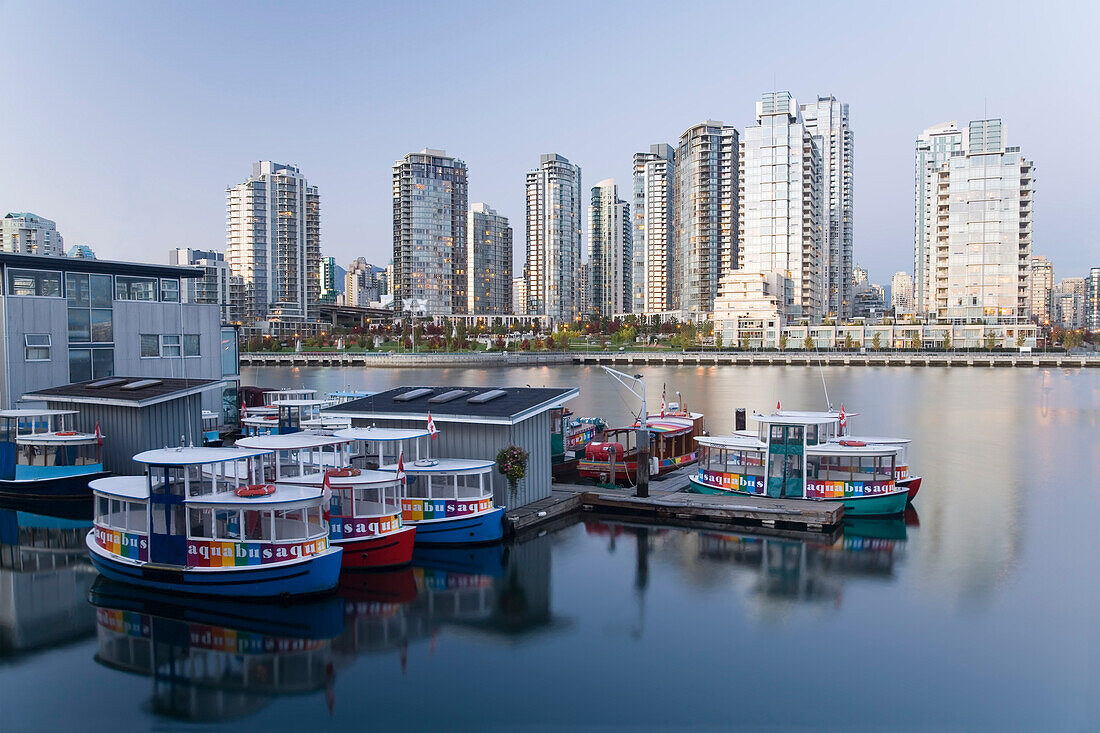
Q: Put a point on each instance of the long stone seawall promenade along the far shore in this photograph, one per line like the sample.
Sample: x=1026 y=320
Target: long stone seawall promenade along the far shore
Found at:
x=879 y=358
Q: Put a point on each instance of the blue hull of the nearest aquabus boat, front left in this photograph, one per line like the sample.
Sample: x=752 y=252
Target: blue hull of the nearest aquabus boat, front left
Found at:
x=312 y=576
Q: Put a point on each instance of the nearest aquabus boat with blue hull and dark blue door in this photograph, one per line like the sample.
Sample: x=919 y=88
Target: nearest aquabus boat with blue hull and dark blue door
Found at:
x=199 y=522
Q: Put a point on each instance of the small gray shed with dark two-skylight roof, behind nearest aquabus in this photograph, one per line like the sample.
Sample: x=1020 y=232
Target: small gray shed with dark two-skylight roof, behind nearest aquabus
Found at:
x=135 y=414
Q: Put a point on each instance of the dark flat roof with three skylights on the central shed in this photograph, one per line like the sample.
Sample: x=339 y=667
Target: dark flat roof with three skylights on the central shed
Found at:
x=513 y=407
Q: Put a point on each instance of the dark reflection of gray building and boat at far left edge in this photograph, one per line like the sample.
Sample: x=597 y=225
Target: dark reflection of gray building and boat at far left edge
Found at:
x=45 y=582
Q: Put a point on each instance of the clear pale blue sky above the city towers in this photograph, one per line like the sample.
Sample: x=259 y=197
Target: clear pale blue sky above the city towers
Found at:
x=125 y=123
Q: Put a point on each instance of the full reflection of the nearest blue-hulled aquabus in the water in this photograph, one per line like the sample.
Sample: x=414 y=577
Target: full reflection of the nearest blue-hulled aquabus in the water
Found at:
x=215 y=661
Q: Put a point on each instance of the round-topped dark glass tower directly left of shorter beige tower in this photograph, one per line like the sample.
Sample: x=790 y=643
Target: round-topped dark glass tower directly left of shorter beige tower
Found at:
x=431 y=234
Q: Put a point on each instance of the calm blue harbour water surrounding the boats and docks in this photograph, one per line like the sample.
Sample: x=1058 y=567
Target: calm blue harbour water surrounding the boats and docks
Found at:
x=978 y=614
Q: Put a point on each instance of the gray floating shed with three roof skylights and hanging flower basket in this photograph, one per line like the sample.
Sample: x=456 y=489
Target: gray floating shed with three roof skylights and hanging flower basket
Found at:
x=497 y=419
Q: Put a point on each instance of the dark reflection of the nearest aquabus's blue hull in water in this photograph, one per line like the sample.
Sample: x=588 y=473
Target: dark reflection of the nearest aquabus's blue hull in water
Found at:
x=313 y=619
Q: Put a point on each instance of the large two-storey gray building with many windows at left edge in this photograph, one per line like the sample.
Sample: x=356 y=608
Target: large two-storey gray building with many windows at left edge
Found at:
x=67 y=320
